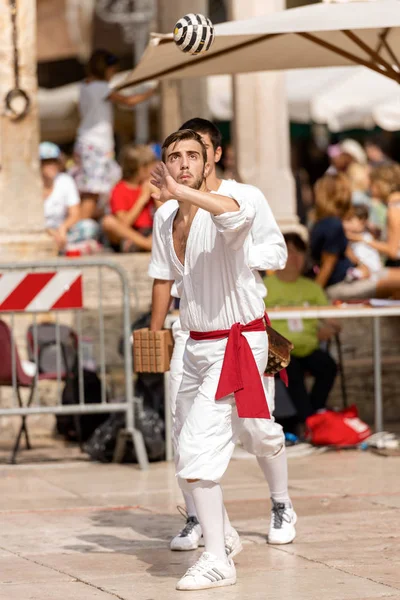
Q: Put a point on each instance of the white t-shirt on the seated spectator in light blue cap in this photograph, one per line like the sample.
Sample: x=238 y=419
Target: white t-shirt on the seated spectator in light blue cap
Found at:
x=56 y=205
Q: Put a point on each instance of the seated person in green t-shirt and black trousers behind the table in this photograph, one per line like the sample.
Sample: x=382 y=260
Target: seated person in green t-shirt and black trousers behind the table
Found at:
x=289 y=288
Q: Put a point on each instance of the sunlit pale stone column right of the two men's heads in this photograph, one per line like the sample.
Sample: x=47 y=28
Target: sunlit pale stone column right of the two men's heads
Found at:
x=261 y=125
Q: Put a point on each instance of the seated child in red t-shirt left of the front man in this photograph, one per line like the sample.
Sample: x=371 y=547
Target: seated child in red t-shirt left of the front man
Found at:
x=130 y=225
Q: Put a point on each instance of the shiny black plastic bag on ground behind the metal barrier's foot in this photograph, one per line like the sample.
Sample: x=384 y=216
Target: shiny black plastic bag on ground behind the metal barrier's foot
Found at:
x=102 y=443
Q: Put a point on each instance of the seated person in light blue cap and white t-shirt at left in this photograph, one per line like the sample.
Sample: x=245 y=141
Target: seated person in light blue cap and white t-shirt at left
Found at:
x=62 y=203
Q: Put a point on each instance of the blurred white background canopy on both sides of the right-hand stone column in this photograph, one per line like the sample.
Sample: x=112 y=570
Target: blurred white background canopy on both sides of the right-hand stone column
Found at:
x=340 y=97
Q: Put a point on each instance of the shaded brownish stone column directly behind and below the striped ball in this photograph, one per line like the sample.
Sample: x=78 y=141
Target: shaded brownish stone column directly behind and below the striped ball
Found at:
x=187 y=98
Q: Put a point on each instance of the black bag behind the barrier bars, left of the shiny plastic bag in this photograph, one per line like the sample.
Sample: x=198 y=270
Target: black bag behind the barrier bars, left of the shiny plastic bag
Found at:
x=75 y=427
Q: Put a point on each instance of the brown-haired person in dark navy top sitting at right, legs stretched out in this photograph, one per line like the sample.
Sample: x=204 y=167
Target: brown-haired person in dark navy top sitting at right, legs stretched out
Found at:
x=331 y=250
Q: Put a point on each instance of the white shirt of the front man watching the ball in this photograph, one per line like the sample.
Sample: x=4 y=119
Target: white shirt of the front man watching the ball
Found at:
x=216 y=286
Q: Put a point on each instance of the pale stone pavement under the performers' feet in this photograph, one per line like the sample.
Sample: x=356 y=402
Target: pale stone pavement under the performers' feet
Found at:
x=84 y=531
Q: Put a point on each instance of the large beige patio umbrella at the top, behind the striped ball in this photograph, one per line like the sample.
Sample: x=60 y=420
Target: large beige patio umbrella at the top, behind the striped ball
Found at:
x=319 y=35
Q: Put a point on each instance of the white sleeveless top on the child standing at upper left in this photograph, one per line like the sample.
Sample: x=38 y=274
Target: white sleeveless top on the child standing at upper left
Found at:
x=97 y=115
